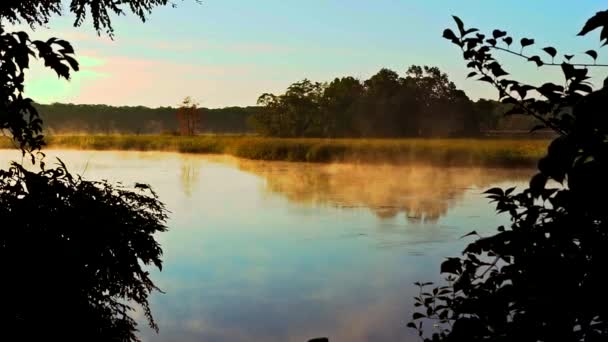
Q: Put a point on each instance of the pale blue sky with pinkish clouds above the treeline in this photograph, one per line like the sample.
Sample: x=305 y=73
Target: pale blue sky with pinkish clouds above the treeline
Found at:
x=228 y=52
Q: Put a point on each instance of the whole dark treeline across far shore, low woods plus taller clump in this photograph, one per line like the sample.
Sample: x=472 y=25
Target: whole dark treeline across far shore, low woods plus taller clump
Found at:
x=421 y=103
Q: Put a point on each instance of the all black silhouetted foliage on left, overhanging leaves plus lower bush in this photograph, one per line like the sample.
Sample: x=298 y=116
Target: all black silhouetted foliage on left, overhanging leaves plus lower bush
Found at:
x=72 y=252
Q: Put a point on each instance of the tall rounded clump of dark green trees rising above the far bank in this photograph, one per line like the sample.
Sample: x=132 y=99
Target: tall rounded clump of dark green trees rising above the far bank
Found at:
x=422 y=103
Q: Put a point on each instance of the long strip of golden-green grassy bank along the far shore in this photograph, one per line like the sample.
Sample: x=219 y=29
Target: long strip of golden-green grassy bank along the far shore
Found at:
x=481 y=152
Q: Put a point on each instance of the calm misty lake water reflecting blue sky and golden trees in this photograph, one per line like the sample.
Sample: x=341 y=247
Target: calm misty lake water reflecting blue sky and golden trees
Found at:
x=254 y=255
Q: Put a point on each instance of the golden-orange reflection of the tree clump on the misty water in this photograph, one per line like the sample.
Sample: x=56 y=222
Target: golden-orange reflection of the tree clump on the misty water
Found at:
x=422 y=193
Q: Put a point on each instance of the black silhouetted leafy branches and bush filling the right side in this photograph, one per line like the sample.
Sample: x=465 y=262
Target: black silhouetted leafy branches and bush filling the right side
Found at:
x=542 y=277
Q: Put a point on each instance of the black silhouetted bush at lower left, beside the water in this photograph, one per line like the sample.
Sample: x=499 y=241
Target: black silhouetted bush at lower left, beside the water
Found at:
x=72 y=254
